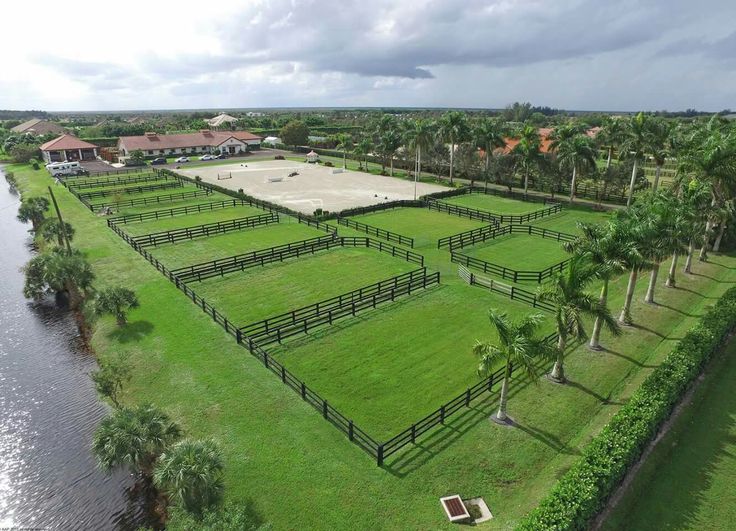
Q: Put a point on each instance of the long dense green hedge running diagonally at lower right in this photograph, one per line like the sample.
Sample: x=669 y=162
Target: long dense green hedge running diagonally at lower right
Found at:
x=583 y=491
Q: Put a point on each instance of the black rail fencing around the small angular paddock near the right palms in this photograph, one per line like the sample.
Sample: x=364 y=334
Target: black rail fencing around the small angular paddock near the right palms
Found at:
x=505 y=272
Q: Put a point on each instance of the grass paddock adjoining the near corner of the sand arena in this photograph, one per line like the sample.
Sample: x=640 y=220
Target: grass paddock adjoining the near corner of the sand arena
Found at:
x=424 y=225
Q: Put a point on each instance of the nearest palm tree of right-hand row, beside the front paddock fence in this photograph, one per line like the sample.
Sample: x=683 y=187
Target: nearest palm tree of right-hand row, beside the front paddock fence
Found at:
x=517 y=347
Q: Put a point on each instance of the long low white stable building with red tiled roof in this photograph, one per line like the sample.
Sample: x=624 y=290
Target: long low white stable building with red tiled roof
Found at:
x=205 y=141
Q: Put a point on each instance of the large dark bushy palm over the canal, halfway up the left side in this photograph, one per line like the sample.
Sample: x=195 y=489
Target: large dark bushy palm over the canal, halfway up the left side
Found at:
x=58 y=271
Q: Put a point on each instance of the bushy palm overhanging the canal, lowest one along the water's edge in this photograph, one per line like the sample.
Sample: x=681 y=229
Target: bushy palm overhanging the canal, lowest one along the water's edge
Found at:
x=134 y=438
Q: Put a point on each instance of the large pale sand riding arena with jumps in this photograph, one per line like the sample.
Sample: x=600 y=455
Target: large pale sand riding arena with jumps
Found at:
x=315 y=186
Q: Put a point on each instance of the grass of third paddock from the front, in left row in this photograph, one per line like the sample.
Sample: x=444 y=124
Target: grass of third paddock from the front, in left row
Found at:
x=204 y=249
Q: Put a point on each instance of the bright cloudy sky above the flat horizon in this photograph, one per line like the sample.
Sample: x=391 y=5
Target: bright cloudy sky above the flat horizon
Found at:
x=574 y=54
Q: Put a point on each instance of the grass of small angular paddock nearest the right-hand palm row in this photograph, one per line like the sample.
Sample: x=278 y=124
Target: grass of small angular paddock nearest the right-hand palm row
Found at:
x=521 y=252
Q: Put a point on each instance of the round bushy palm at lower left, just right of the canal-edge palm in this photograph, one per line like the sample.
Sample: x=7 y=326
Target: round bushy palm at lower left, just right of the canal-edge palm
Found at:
x=190 y=472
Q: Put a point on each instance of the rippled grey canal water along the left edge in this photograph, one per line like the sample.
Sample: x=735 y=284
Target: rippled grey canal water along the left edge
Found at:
x=48 y=408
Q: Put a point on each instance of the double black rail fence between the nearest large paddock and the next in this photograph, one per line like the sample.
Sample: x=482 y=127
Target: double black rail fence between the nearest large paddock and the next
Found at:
x=301 y=320
